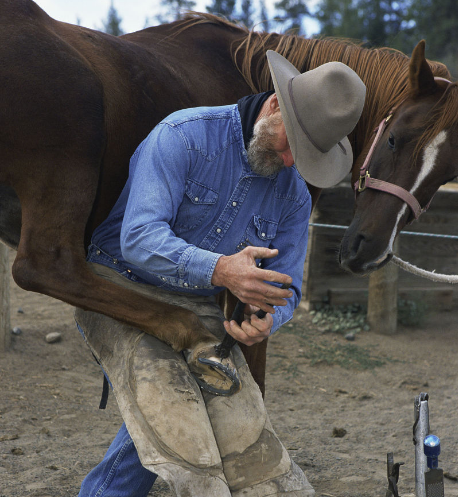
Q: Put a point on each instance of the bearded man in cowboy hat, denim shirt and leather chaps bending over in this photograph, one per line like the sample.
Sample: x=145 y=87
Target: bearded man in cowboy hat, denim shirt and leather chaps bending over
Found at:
x=216 y=199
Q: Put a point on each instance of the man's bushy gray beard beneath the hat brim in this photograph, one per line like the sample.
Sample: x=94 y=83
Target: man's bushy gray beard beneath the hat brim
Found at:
x=262 y=158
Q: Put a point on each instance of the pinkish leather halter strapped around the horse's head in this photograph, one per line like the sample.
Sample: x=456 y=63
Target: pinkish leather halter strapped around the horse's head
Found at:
x=366 y=180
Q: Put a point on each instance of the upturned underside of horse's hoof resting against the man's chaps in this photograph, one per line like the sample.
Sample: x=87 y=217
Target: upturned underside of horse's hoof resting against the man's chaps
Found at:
x=213 y=374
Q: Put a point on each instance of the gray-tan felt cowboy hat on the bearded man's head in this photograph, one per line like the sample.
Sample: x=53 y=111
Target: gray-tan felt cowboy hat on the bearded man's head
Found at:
x=319 y=108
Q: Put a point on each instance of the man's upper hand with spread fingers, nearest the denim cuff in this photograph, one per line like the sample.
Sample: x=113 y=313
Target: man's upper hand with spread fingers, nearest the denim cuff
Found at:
x=240 y=274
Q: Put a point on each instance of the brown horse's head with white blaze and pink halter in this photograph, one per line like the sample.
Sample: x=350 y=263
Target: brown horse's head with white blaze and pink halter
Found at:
x=415 y=153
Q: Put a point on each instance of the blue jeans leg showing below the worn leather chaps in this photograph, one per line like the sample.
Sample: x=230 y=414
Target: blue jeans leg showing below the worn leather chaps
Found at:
x=120 y=474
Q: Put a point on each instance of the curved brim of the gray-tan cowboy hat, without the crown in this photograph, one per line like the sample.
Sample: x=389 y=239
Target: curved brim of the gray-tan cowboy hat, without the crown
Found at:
x=322 y=170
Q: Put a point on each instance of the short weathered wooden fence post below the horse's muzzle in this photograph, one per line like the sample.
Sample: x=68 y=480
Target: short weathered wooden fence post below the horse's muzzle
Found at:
x=382 y=304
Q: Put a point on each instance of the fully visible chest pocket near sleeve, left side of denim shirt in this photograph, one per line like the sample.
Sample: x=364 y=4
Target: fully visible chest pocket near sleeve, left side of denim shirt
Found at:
x=197 y=205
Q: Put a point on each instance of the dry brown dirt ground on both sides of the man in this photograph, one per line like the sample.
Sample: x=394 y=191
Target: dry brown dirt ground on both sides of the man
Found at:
x=319 y=385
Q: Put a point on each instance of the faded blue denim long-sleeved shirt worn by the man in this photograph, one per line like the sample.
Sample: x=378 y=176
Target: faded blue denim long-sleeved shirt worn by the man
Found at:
x=191 y=197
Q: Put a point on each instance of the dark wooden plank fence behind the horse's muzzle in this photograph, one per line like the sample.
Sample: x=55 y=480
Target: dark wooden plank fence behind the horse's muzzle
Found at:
x=326 y=281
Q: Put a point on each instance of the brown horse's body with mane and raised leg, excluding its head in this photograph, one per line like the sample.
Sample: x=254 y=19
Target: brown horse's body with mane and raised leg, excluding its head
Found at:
x=75 y=105
